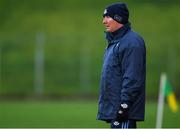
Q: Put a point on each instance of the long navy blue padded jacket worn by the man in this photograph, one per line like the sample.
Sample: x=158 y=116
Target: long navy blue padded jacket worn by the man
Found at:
x=123 y=75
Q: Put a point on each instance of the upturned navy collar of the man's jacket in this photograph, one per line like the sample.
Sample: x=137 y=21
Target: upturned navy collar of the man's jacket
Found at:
x=115 y=36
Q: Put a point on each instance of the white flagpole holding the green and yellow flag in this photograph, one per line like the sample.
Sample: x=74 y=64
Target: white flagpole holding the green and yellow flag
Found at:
x=159 y=117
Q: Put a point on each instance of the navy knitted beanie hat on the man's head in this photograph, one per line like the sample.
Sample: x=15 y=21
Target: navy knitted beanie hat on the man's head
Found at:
x=117 y=11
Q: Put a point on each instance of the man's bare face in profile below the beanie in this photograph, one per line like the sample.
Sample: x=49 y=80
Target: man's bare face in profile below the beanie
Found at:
x=110 y=24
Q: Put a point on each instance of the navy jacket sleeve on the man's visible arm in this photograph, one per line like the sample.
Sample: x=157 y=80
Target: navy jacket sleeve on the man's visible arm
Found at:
x=133 y=73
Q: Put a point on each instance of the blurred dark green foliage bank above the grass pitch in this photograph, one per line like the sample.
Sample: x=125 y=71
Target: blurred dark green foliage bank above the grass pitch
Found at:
x=73 y=33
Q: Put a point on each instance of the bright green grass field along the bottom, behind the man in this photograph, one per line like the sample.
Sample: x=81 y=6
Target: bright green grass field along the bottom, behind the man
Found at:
x=68 y=114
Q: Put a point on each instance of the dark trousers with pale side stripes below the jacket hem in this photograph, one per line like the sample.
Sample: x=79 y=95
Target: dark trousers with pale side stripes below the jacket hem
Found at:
x=123 y=124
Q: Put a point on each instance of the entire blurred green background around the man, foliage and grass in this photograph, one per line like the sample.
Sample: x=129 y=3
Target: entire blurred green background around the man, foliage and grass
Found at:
x=51 y=53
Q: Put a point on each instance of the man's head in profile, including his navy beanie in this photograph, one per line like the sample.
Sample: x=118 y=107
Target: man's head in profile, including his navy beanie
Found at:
x=115 y=16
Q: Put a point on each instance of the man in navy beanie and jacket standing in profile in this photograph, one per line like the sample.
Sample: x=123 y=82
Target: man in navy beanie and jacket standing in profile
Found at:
x=122 y=94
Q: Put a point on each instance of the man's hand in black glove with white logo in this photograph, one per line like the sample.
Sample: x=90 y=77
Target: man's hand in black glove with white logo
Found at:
x=122 y=113
